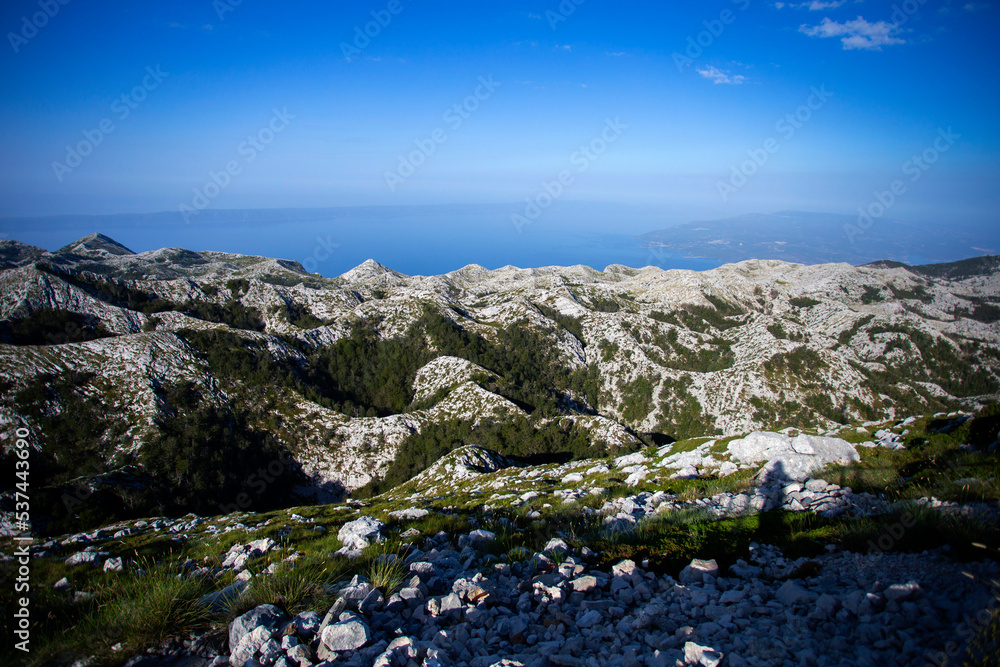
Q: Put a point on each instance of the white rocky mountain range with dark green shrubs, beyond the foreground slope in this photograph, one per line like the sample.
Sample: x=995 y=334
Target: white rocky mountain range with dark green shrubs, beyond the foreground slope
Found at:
x=191 y=370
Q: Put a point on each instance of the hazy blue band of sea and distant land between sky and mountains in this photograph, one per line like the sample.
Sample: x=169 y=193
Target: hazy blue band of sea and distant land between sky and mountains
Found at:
x=432 y=240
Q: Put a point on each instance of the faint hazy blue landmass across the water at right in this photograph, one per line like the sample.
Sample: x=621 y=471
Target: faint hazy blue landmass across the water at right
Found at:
x=816 y=238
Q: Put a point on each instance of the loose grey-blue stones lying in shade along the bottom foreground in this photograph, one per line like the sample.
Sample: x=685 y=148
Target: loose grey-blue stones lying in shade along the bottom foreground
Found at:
x=459 y=605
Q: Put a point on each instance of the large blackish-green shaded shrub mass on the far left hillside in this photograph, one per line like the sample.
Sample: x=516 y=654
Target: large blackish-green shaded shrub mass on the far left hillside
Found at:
x=201 y=456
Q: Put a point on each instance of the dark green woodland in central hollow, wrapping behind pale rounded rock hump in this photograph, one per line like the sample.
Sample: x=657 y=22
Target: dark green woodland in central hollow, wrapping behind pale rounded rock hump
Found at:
x=363 y=374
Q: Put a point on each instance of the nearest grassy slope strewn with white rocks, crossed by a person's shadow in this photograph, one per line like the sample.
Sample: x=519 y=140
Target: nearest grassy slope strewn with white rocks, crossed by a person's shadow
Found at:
x=634 y=560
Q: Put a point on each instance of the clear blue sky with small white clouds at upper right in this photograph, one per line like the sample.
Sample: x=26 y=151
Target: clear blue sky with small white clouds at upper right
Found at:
x=896 y=79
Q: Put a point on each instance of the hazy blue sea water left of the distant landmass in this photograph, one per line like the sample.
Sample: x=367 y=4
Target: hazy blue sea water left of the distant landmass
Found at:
x=413 y=240
